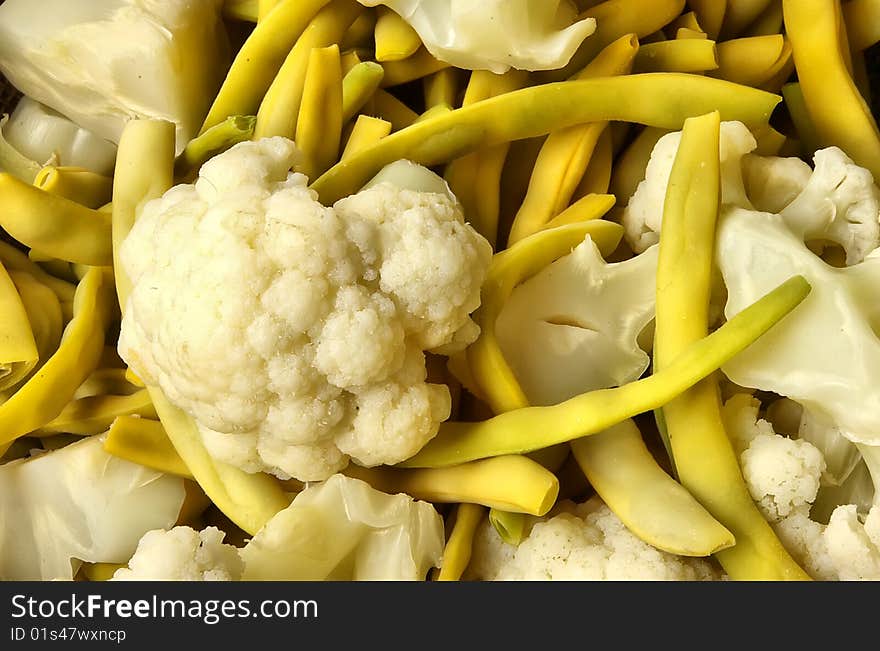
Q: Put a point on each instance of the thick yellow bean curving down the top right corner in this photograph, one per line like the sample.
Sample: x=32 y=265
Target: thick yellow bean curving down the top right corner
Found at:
x=838 y=110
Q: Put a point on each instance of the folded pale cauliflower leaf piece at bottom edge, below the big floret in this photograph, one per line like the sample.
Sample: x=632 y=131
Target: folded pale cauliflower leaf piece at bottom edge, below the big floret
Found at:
x=342 y=529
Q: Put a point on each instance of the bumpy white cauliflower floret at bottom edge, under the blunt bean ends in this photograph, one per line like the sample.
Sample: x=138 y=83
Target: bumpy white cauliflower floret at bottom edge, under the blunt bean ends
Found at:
x=588 y=544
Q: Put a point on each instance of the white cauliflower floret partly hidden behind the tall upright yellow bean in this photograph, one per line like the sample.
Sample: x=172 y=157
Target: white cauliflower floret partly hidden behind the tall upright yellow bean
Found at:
x=643 y=214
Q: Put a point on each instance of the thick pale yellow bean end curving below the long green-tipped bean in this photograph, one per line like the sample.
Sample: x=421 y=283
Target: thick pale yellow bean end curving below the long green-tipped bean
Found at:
x=652 y=505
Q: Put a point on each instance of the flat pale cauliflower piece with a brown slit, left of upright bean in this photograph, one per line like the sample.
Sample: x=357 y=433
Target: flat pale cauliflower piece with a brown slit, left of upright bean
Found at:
x=582 y=319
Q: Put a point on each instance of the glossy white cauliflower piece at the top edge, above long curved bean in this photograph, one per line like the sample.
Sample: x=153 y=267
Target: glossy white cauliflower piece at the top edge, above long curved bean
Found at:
x=496 y=35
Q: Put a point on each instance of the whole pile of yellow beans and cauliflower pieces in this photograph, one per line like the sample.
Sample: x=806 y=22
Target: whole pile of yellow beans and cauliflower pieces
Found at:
x=403 y=290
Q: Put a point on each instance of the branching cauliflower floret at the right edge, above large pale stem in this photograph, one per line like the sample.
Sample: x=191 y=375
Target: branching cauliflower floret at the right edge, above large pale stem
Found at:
x=840 y=203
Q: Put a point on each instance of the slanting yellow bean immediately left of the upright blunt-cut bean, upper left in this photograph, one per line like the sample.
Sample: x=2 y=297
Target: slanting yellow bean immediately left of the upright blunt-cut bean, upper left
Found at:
x=278 y=114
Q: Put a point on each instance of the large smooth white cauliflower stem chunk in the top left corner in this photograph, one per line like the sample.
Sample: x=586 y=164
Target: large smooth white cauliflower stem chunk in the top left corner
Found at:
x=103 y=62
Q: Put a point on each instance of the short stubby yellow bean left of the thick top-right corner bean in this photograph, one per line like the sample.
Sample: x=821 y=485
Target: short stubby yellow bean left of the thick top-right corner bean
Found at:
x=751 y=60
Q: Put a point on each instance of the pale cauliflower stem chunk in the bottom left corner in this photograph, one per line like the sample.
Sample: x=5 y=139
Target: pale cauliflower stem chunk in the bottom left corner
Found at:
x=78 y=503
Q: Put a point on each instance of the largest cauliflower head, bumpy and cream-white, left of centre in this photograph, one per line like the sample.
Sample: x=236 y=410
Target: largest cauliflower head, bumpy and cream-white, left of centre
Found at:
x=293 y=333
